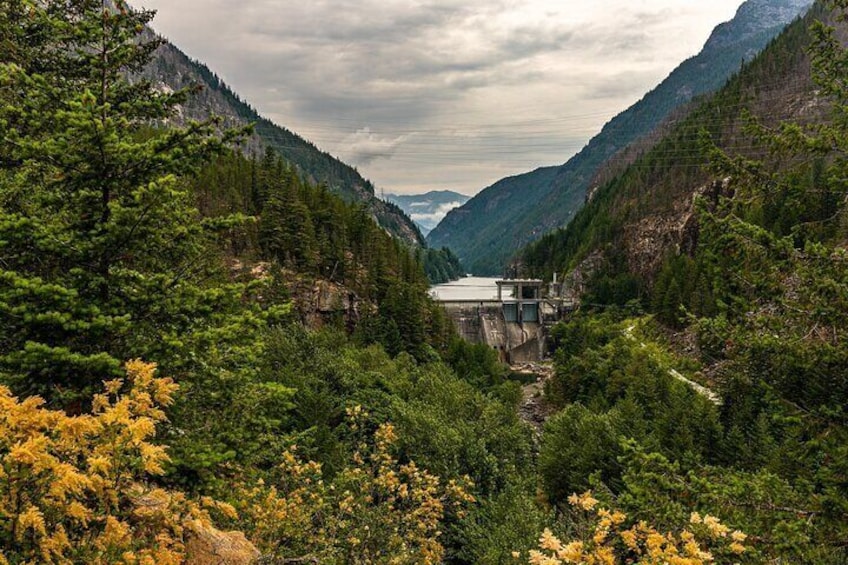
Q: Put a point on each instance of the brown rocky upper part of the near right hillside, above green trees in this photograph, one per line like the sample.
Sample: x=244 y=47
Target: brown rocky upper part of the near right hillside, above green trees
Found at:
x=647 y=211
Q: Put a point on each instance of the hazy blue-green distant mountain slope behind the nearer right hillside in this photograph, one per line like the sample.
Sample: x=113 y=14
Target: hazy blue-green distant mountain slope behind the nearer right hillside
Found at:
x=533 y=204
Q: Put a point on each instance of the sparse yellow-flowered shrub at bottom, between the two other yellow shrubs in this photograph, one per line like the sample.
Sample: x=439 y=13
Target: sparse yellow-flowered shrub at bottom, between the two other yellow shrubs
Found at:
x=376 y=510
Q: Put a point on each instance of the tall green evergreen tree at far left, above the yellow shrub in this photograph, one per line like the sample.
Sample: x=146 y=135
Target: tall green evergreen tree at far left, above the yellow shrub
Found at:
x=99 y=243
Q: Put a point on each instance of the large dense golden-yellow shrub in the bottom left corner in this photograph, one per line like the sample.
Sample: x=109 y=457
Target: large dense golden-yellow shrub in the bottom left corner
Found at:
x=72 y=488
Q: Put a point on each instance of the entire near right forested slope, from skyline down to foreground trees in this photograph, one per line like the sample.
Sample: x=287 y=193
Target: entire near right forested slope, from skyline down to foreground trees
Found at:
x=720 y=254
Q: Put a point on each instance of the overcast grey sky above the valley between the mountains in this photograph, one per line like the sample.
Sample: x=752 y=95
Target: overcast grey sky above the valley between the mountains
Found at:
x=441 y=94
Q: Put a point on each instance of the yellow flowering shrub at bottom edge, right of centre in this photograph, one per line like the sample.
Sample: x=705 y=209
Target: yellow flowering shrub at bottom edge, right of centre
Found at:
x=608 y=541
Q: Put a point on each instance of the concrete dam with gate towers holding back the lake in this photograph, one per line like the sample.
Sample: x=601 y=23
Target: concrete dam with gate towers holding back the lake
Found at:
x=515 y=322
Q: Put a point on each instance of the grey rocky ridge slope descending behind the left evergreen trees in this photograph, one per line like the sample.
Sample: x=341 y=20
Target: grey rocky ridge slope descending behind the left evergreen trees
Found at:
x=172 y=69
